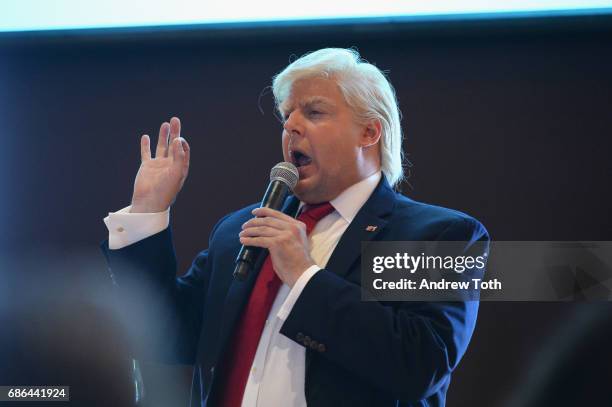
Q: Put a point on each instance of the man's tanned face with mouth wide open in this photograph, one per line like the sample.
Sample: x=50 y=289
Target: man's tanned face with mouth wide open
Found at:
x=322 y=138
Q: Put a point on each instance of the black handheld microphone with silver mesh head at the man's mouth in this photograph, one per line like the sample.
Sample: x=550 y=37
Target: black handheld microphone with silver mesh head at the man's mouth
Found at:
x=284 y=177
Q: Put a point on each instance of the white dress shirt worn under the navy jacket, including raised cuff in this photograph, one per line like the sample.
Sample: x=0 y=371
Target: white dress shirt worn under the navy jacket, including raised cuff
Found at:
x=278 y=372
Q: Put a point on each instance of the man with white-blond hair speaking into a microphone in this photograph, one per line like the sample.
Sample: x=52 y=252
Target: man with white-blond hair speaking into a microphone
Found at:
x=317 y=342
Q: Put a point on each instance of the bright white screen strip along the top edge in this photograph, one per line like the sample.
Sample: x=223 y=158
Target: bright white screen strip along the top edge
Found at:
x=29 y=15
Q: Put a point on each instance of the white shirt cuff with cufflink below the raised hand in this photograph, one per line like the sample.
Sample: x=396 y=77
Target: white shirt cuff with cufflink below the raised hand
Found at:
x=125 y=228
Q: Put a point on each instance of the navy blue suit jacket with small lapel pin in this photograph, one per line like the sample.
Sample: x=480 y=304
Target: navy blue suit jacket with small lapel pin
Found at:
x=373 y=353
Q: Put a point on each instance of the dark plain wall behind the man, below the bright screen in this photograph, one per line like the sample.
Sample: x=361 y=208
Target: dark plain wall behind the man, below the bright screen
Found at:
x=509 y=121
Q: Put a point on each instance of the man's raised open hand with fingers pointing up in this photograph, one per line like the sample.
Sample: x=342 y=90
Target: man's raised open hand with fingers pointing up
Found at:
x=160 y=179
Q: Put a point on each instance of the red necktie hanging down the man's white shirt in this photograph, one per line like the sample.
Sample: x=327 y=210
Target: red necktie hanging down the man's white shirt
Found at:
x=241 y=353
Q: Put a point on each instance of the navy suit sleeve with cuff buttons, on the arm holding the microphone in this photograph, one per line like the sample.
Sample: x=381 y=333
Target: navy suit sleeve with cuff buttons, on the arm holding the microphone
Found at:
x=406 y=349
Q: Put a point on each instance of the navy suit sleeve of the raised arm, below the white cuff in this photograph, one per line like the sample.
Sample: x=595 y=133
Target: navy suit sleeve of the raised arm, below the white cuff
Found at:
x=162 y=312
